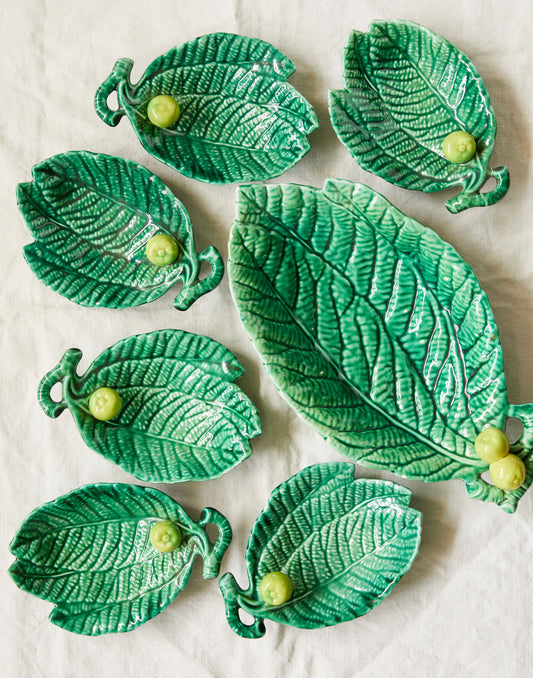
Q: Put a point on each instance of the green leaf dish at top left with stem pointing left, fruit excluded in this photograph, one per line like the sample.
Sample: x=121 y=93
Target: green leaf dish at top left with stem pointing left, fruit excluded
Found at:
x=238 y=121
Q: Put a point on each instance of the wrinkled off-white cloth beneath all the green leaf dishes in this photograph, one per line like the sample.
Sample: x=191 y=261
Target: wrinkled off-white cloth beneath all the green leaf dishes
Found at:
x=465 y=607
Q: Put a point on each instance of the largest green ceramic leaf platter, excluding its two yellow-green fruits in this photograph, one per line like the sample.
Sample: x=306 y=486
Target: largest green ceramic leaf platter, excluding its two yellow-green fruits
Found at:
x=374 y=330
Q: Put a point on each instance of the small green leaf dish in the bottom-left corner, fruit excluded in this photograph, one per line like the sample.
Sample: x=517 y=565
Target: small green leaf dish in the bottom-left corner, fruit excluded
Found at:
x=90 y=553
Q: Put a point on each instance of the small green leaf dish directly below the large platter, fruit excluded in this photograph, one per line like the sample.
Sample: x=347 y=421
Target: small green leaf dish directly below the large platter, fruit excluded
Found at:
x=343 y=543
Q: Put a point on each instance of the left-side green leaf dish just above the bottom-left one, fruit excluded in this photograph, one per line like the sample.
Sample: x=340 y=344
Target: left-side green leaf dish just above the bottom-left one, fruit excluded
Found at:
x=181 y=417
